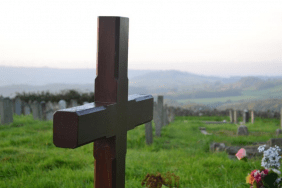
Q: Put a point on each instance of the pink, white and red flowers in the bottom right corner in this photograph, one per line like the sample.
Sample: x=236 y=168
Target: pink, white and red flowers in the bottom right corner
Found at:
x=269 y=175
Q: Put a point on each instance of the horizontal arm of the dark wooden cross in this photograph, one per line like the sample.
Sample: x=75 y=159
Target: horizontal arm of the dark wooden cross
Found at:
x=77 y=126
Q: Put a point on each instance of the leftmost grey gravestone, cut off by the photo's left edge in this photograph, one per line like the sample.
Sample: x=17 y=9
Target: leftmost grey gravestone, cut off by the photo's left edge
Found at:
x=6 y=111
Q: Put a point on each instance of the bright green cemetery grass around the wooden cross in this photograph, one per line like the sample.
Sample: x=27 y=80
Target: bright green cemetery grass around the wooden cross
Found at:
x=28 y=157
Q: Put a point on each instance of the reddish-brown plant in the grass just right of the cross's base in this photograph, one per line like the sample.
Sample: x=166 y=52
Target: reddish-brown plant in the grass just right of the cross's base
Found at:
x=156 y=181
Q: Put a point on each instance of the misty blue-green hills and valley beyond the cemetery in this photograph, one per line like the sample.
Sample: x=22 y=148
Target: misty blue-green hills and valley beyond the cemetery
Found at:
x=180 y=89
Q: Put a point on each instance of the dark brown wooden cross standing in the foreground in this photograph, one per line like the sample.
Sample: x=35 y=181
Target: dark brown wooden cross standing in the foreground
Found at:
x=106 y=121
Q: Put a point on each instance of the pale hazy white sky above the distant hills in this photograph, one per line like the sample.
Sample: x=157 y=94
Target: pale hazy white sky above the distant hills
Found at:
x=212 y=37
